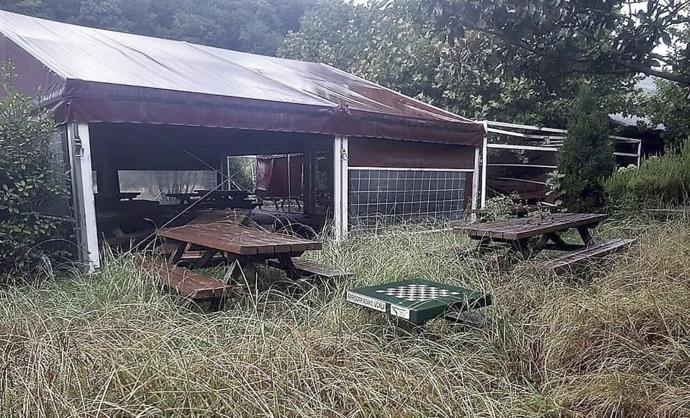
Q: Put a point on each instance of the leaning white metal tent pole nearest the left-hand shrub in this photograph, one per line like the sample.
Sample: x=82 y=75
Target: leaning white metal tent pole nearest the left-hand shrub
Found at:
x=82 y=194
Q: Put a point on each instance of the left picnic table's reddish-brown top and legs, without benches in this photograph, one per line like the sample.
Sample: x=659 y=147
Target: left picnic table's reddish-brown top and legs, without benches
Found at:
x=242 y=247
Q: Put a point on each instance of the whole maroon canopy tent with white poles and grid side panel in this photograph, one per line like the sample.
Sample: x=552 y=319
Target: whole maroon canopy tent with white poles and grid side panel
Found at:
x=144 y=106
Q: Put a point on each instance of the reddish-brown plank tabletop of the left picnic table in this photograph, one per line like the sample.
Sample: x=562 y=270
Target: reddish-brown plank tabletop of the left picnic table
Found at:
x=238 y=239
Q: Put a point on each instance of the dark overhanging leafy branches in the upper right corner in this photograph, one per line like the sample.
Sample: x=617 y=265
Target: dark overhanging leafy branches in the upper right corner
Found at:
x=560 y=38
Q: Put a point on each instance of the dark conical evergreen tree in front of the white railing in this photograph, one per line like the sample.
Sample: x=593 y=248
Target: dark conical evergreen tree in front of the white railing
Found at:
x=586 y=157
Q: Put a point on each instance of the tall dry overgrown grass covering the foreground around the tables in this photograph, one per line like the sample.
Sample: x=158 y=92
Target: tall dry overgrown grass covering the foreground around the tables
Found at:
x=614 y=341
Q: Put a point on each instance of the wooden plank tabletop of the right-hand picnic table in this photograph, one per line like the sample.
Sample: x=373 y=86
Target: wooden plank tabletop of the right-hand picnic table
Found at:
x=515 y=229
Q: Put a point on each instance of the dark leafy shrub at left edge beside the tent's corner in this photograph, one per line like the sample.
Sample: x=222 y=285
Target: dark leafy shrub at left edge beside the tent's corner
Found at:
x=29 y=185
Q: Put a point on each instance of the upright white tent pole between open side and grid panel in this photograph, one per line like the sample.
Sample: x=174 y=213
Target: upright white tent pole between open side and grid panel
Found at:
x=340 y=186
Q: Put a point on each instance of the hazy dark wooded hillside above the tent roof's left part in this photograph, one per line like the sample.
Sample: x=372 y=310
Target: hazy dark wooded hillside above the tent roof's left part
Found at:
x=244 y=25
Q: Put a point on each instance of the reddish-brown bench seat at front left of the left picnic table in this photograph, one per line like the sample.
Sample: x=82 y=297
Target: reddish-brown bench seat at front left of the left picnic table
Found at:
x=191 y=284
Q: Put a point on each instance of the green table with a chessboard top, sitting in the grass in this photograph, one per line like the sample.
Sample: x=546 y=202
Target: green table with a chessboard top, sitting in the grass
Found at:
x=418 y=300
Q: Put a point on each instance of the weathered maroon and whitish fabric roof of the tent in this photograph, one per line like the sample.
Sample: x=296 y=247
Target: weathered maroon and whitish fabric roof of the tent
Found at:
x=92 y=75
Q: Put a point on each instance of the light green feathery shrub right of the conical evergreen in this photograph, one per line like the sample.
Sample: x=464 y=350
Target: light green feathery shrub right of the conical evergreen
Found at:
x=658 y=182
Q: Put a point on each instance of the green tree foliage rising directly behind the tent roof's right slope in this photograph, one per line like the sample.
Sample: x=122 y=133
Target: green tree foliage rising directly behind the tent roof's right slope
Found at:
x=398 y=46
